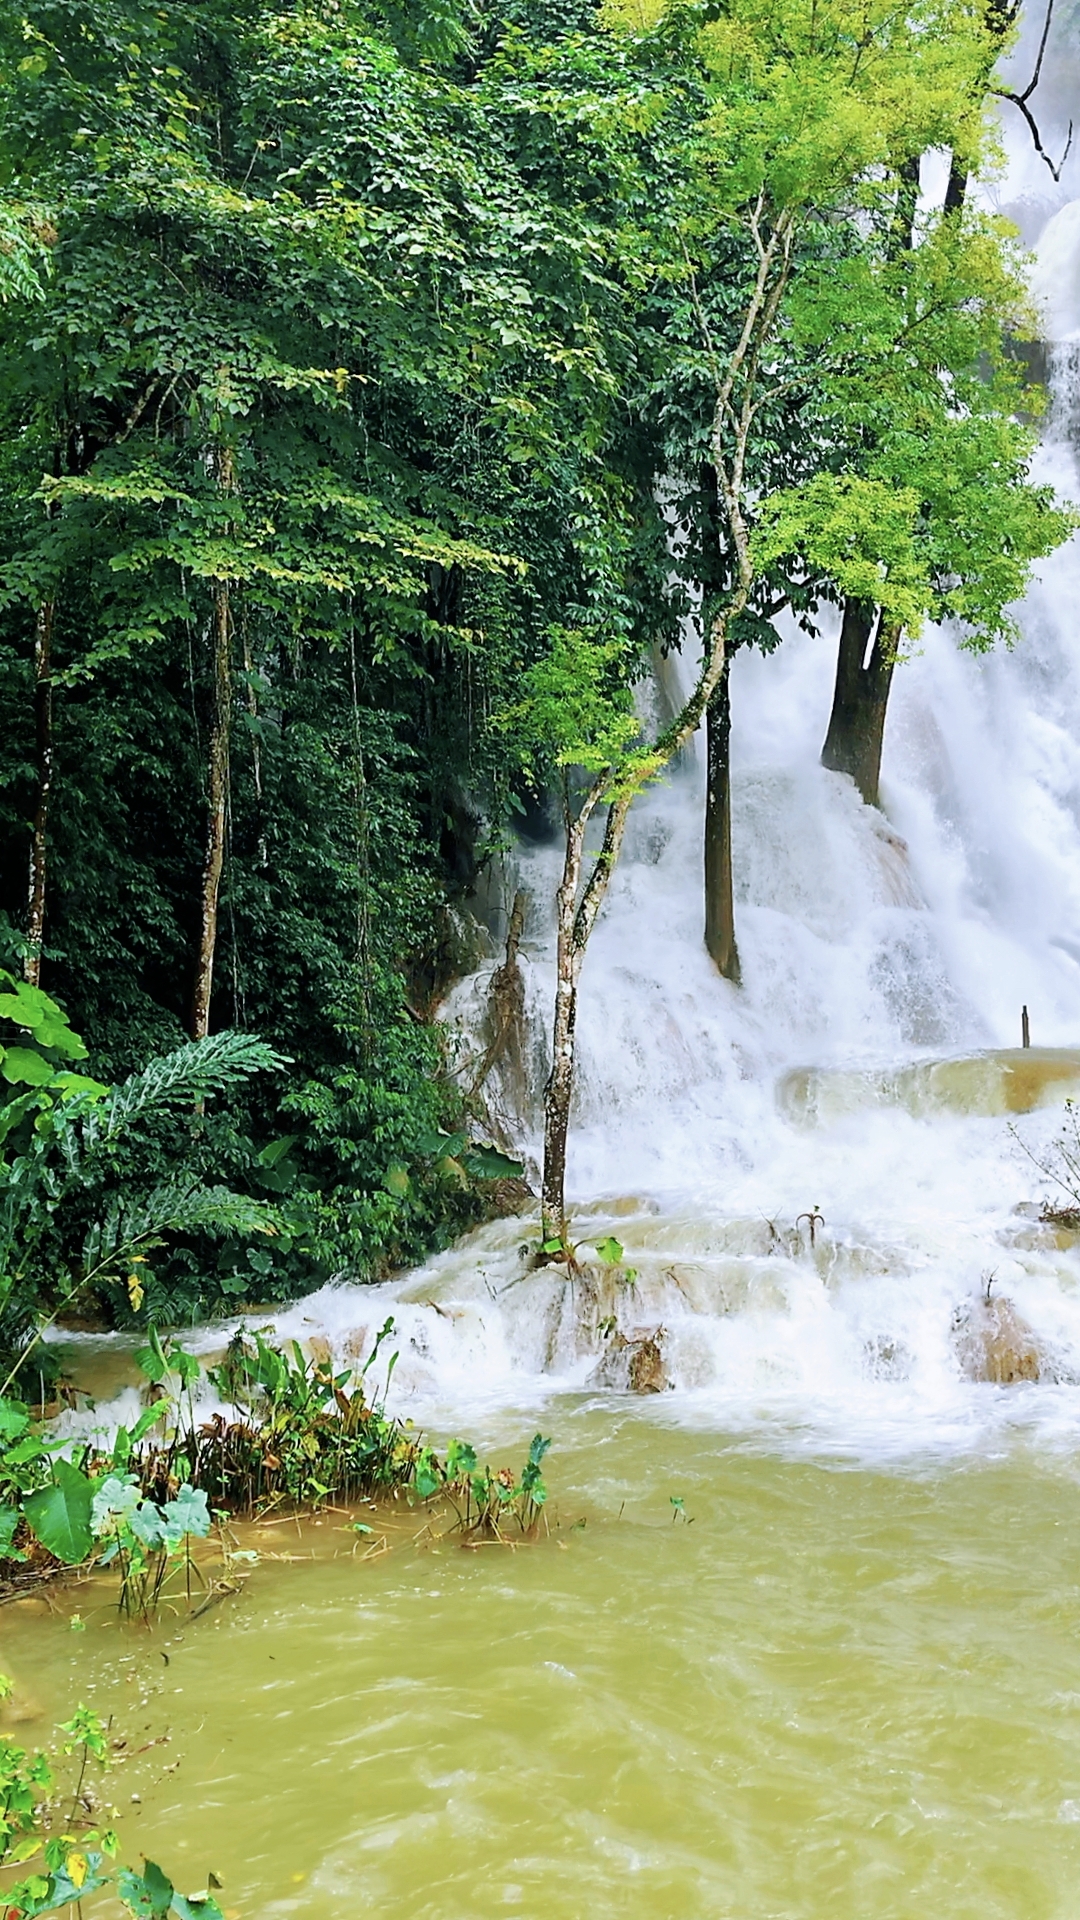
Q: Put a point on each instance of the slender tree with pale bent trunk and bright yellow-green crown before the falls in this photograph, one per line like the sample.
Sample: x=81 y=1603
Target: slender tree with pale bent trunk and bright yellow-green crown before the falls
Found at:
x=818 y=118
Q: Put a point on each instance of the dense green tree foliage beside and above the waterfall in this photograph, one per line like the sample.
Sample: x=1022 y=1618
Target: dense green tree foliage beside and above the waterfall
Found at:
x=360 y=444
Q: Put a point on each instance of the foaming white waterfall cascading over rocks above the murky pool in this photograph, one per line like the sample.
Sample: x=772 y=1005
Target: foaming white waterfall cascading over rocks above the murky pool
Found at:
x=712 y=1122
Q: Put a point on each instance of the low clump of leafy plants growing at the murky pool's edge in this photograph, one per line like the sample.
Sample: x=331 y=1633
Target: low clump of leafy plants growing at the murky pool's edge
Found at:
x=283 y=1433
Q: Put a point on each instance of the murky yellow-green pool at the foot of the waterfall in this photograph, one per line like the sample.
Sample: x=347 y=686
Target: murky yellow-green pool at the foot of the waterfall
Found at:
x=839 y=1692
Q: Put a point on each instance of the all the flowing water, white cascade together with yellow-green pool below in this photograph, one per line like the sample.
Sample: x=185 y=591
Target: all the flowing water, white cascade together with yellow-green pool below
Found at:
x=845 y=1679
